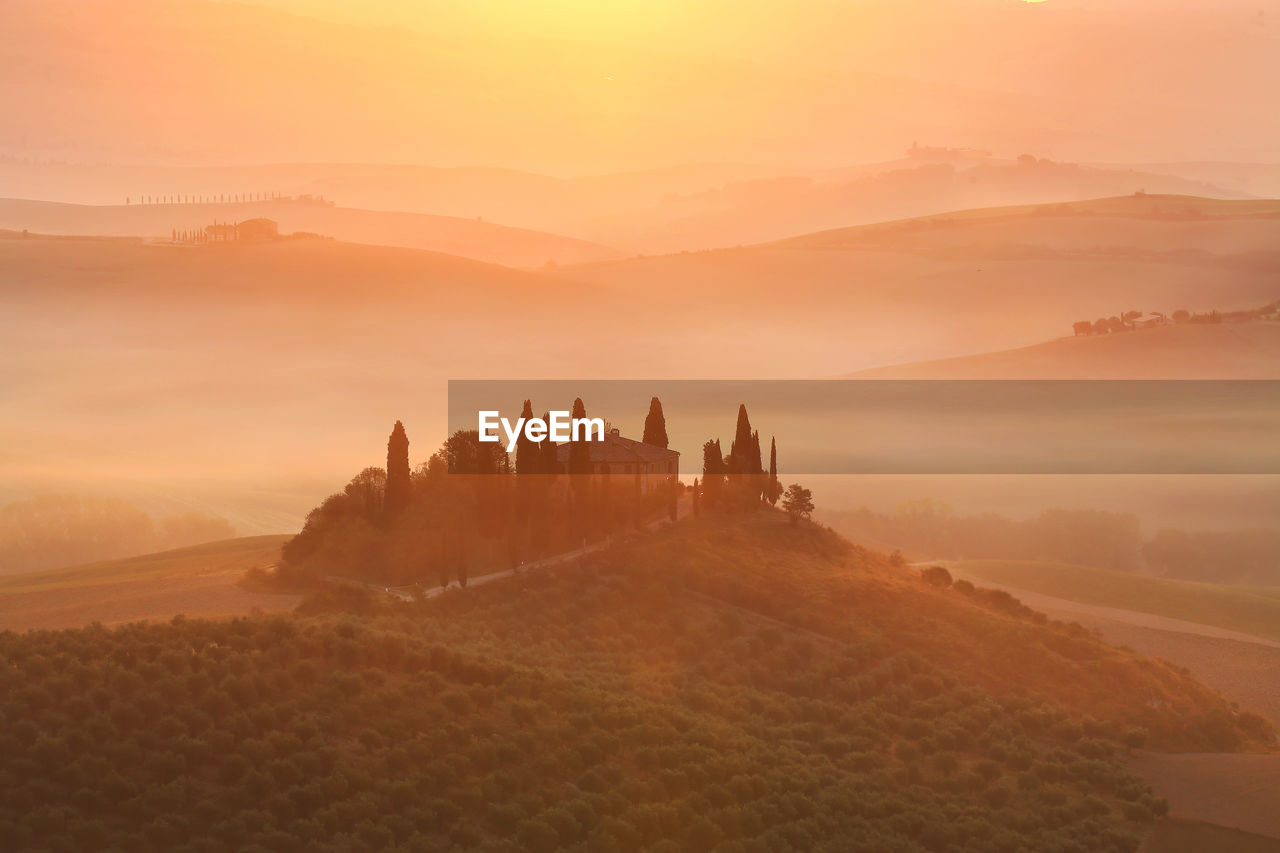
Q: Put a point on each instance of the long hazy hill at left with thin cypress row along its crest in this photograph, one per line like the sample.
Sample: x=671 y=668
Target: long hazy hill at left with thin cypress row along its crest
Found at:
x=470 y=239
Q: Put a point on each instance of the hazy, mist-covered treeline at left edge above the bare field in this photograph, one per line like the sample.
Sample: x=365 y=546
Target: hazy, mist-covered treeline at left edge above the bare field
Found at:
x=56 y=531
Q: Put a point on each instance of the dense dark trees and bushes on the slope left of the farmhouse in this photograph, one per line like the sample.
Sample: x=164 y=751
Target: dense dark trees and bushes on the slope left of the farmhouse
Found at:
x=470 y=509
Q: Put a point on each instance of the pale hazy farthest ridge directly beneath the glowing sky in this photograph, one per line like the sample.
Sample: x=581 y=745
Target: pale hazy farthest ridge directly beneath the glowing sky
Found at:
x=657 y=211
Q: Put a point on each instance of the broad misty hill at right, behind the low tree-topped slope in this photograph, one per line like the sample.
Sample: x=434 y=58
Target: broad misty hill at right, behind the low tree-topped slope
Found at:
x=971 y=282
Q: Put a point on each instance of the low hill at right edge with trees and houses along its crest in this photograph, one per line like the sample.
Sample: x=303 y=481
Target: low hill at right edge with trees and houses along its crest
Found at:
x=1201 y=352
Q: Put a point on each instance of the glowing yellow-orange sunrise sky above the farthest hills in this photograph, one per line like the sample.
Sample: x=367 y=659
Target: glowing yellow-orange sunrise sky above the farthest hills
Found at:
x=579 y=88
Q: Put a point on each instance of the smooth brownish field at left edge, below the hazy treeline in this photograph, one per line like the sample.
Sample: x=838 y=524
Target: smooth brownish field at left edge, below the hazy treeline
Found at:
x=200 y=581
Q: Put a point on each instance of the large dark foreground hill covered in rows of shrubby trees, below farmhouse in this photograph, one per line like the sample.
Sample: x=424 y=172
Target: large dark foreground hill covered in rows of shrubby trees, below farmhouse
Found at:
x=716 y=687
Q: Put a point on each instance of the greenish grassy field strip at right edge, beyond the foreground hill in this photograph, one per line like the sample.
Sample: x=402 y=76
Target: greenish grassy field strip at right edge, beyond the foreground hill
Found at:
x=1240 y=609
